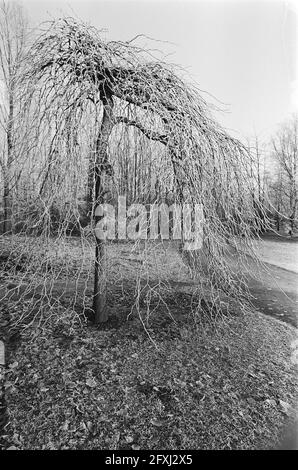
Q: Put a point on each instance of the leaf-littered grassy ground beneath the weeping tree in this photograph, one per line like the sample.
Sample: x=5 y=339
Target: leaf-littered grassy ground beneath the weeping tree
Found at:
x=228 y=382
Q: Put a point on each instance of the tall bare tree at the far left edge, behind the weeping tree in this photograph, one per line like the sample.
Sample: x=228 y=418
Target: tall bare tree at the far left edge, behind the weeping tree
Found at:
x=13 y=30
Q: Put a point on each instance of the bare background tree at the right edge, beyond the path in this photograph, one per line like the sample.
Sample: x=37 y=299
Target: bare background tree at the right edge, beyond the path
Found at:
x=285 y=152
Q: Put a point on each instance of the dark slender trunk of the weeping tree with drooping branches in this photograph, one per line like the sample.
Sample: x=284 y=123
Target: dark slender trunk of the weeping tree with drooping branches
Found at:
x=101 y=172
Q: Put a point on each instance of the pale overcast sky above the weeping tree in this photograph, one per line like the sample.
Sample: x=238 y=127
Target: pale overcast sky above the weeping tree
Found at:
x=242 y=52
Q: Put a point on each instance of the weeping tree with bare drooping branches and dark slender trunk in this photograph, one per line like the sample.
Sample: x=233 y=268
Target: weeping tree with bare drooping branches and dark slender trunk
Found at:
x=94 y=103
